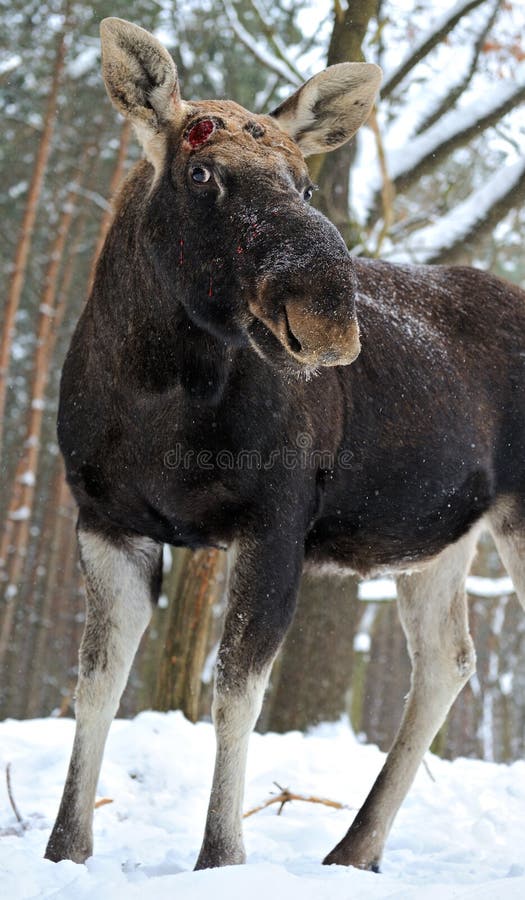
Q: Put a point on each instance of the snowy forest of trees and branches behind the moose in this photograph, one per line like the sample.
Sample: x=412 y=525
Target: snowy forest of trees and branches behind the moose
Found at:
x=437 y=176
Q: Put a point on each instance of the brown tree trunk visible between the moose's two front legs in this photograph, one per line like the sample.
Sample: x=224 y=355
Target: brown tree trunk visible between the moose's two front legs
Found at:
x=199 y=586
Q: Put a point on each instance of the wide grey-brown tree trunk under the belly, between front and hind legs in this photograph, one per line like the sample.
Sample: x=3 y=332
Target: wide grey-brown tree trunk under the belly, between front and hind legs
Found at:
x=311 y=678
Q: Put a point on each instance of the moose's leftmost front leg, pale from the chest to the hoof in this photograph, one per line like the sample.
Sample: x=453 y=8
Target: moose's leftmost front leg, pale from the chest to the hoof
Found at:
x=122 y=575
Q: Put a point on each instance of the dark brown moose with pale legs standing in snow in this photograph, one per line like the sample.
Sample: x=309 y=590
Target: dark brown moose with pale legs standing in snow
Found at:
x=227 y=313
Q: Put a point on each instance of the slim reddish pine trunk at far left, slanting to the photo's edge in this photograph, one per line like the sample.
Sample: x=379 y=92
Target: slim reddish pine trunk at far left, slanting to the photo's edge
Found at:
x=28 y=222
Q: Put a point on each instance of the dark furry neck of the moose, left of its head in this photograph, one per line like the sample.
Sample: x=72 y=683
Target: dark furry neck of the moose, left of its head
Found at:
x=137 y=311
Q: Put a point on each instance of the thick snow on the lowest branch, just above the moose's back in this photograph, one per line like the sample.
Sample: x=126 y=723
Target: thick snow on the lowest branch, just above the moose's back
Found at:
x=436 y=242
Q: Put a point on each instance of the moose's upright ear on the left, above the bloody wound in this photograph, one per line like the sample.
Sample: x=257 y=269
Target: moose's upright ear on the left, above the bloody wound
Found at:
x=140 y=76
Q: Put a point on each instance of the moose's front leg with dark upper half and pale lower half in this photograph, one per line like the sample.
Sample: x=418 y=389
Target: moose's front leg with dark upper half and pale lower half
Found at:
x=262 y=597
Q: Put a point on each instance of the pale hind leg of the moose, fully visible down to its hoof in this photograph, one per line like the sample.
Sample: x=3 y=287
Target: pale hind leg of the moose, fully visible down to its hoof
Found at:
x=433 y=611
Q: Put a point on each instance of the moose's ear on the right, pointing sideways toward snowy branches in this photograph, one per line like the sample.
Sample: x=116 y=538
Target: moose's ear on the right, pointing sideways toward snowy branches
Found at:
x=329 y=108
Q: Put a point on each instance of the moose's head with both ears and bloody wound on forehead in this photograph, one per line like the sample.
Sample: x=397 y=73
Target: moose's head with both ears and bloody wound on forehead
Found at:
x=229 y=225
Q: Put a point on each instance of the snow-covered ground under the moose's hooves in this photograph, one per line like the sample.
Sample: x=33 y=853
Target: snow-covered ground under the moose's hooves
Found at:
x=461 y=835
